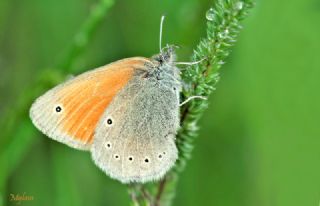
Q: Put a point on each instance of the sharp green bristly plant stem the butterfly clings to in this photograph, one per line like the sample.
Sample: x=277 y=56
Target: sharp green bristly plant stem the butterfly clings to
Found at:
x=223 y=26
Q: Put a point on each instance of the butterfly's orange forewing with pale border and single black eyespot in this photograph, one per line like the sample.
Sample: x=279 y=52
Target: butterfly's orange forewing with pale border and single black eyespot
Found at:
x=69 y=113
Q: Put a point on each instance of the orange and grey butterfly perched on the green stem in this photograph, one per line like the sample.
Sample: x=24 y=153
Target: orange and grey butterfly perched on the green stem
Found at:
x=125 y=113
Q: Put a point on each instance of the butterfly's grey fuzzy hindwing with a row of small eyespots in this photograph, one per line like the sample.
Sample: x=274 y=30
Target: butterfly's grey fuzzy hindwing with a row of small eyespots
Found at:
x=135 y=138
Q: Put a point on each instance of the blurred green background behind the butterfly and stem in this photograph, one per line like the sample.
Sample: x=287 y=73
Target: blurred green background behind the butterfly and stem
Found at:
x=259 y=141
